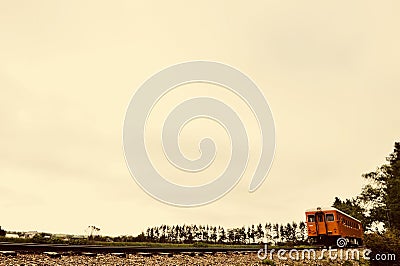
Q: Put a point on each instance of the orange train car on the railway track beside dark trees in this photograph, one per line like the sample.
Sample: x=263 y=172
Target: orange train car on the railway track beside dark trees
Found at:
x=326 y=225
